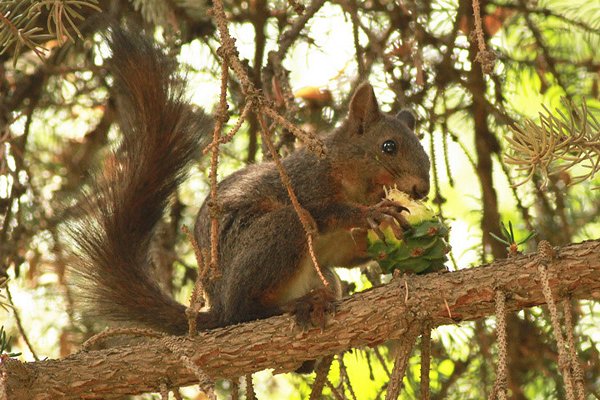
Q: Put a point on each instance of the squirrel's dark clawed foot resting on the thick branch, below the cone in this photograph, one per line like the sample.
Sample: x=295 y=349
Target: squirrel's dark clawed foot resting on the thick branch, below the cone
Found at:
x=313 y=308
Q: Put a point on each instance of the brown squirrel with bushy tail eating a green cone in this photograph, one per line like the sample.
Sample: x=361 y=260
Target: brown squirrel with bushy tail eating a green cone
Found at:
x=263 y=255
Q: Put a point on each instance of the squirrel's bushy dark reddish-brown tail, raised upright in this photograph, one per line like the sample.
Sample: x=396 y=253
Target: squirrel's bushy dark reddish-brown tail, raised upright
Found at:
x=162 y=135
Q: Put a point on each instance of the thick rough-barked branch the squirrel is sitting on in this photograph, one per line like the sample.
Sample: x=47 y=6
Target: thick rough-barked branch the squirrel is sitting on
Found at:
x=365 y=319
